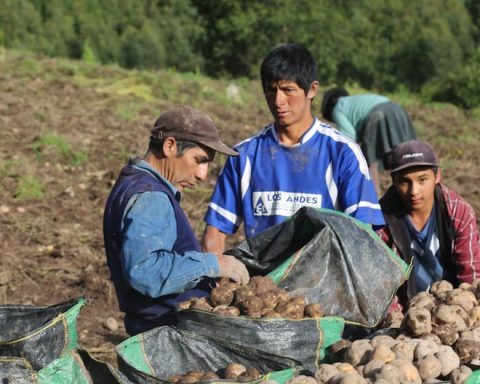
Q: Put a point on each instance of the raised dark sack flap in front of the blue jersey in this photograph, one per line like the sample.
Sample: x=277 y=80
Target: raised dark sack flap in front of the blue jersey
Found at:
x=330 y=258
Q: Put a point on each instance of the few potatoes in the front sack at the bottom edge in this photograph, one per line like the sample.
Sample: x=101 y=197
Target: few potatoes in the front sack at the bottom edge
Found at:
x=233 y=371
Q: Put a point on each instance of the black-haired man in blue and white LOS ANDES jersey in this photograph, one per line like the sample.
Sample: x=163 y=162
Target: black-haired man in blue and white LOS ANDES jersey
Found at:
x=294 y=162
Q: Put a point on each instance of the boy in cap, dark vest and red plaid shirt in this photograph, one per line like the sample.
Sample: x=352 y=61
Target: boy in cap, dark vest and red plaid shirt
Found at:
x=427 y=222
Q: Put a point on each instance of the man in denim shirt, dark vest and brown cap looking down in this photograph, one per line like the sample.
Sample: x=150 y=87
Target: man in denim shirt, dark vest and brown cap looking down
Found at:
x=152 y=252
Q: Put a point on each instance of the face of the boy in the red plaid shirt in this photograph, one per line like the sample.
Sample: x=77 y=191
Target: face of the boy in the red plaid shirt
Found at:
x=416 y=187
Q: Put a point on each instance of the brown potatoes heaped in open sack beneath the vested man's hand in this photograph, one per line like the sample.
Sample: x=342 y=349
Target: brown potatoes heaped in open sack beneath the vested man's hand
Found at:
x=260 y=298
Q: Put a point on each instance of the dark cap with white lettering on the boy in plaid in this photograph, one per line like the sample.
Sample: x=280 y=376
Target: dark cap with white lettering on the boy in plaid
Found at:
x=412 y=153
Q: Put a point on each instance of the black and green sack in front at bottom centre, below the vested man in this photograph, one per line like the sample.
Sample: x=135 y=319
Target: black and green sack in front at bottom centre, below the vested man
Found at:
x=155 y=355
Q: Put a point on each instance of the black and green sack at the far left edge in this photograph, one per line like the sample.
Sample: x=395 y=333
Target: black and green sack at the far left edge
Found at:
x=39 y=334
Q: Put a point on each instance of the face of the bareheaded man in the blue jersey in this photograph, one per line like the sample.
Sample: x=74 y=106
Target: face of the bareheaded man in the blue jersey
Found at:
x=288 y=102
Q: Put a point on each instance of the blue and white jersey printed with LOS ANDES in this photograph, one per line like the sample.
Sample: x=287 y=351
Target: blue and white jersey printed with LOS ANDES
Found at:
x=269 y=181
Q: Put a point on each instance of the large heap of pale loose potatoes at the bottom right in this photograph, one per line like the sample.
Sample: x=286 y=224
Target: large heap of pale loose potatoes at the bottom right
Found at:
x=438 y=335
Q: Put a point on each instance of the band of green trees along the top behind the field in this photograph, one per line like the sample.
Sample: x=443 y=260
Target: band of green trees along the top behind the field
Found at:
x=429 y=47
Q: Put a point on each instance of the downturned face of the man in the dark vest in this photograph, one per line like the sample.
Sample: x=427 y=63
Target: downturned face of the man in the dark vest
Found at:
x=189 y=168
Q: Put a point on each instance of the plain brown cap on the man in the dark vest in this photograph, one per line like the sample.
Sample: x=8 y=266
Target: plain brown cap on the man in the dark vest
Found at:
x=186 y=123
